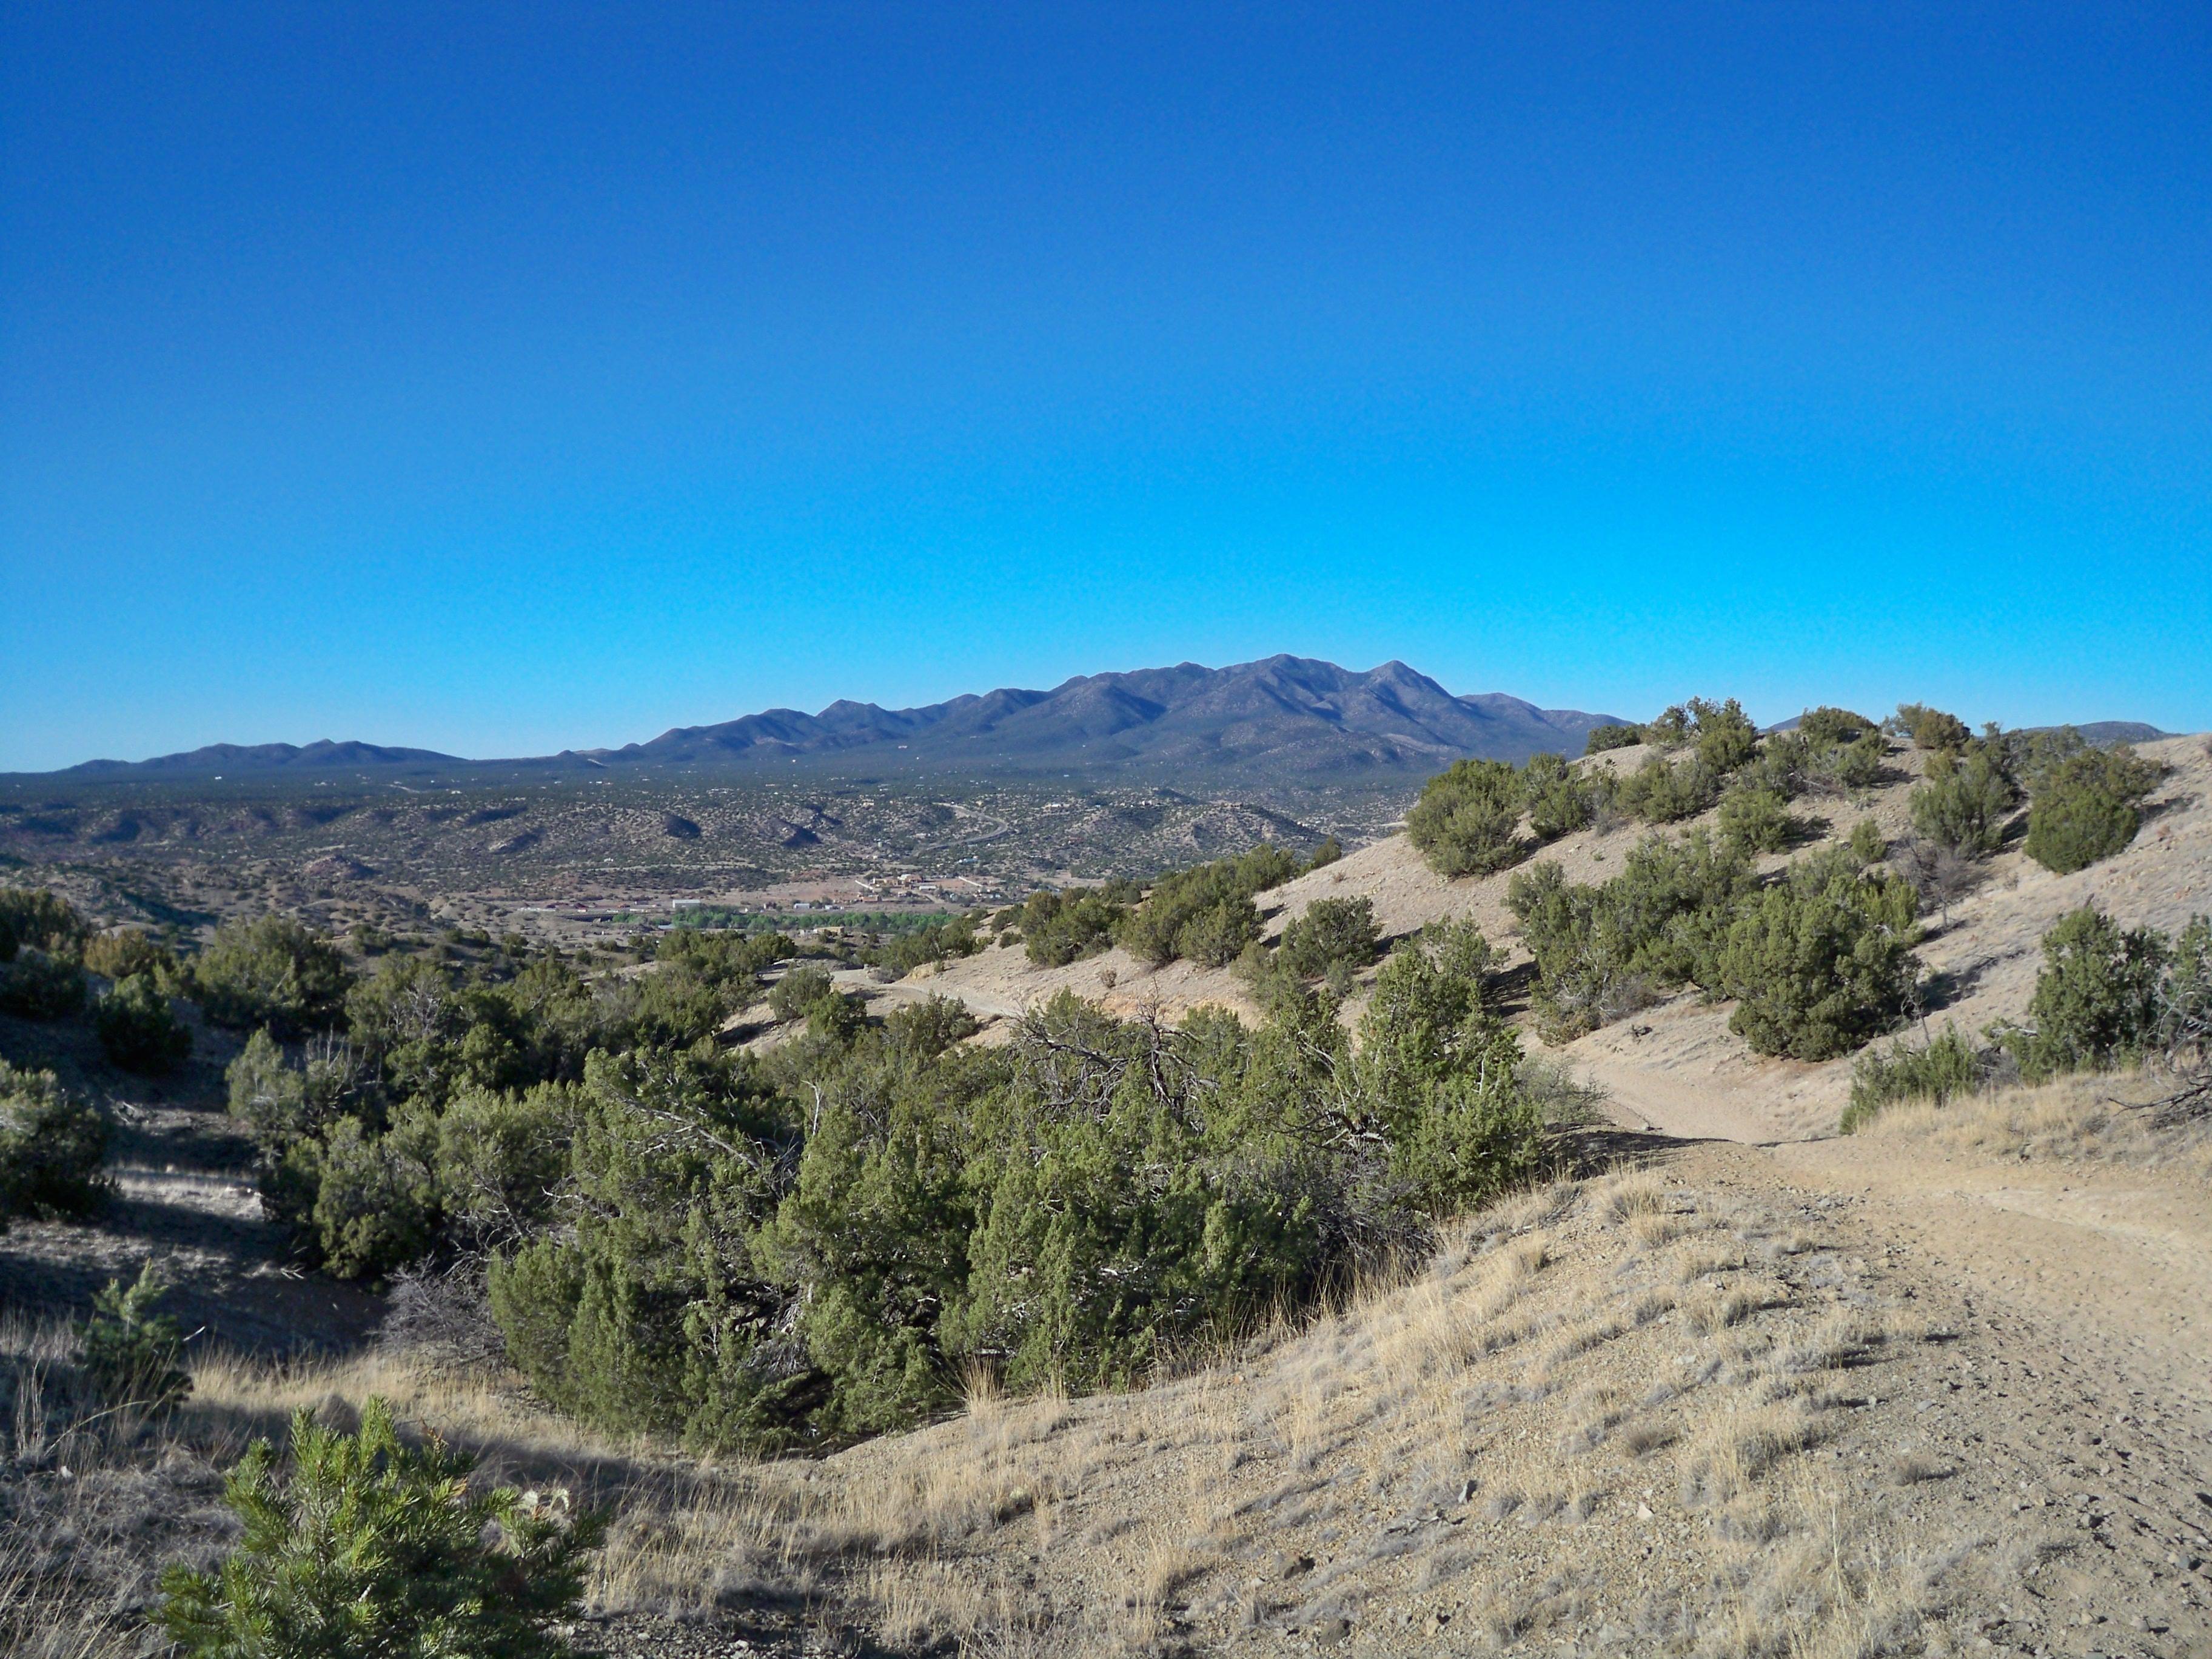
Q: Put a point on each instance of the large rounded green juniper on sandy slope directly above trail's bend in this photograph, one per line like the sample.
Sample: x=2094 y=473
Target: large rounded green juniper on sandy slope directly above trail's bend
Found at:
x=1822 y=961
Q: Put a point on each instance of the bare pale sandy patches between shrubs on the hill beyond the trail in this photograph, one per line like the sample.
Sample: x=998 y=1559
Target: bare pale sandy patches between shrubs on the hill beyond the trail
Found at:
x=1678 y=1067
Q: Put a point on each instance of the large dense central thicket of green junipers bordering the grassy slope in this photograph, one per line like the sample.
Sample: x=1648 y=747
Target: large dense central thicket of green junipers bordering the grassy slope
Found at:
x=817 y=1244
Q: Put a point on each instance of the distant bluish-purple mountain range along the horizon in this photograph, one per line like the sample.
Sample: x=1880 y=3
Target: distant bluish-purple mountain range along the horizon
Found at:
x=1280 y=720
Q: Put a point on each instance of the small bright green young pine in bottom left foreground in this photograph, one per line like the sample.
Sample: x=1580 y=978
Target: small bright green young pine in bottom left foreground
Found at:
x=375 y=1547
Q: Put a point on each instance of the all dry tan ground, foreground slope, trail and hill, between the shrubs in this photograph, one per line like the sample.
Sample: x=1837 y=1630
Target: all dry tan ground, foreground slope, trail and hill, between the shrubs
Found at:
x=1726 y=1390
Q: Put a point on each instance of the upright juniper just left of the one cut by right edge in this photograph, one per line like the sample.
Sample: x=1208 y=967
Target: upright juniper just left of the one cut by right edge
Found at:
x=2098 y=999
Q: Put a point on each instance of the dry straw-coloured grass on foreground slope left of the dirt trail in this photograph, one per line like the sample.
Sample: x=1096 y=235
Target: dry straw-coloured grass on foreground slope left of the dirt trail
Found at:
x=1415 y=1448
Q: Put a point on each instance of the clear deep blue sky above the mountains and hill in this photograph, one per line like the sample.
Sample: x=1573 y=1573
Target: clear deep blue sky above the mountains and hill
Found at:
x=514 y=377
